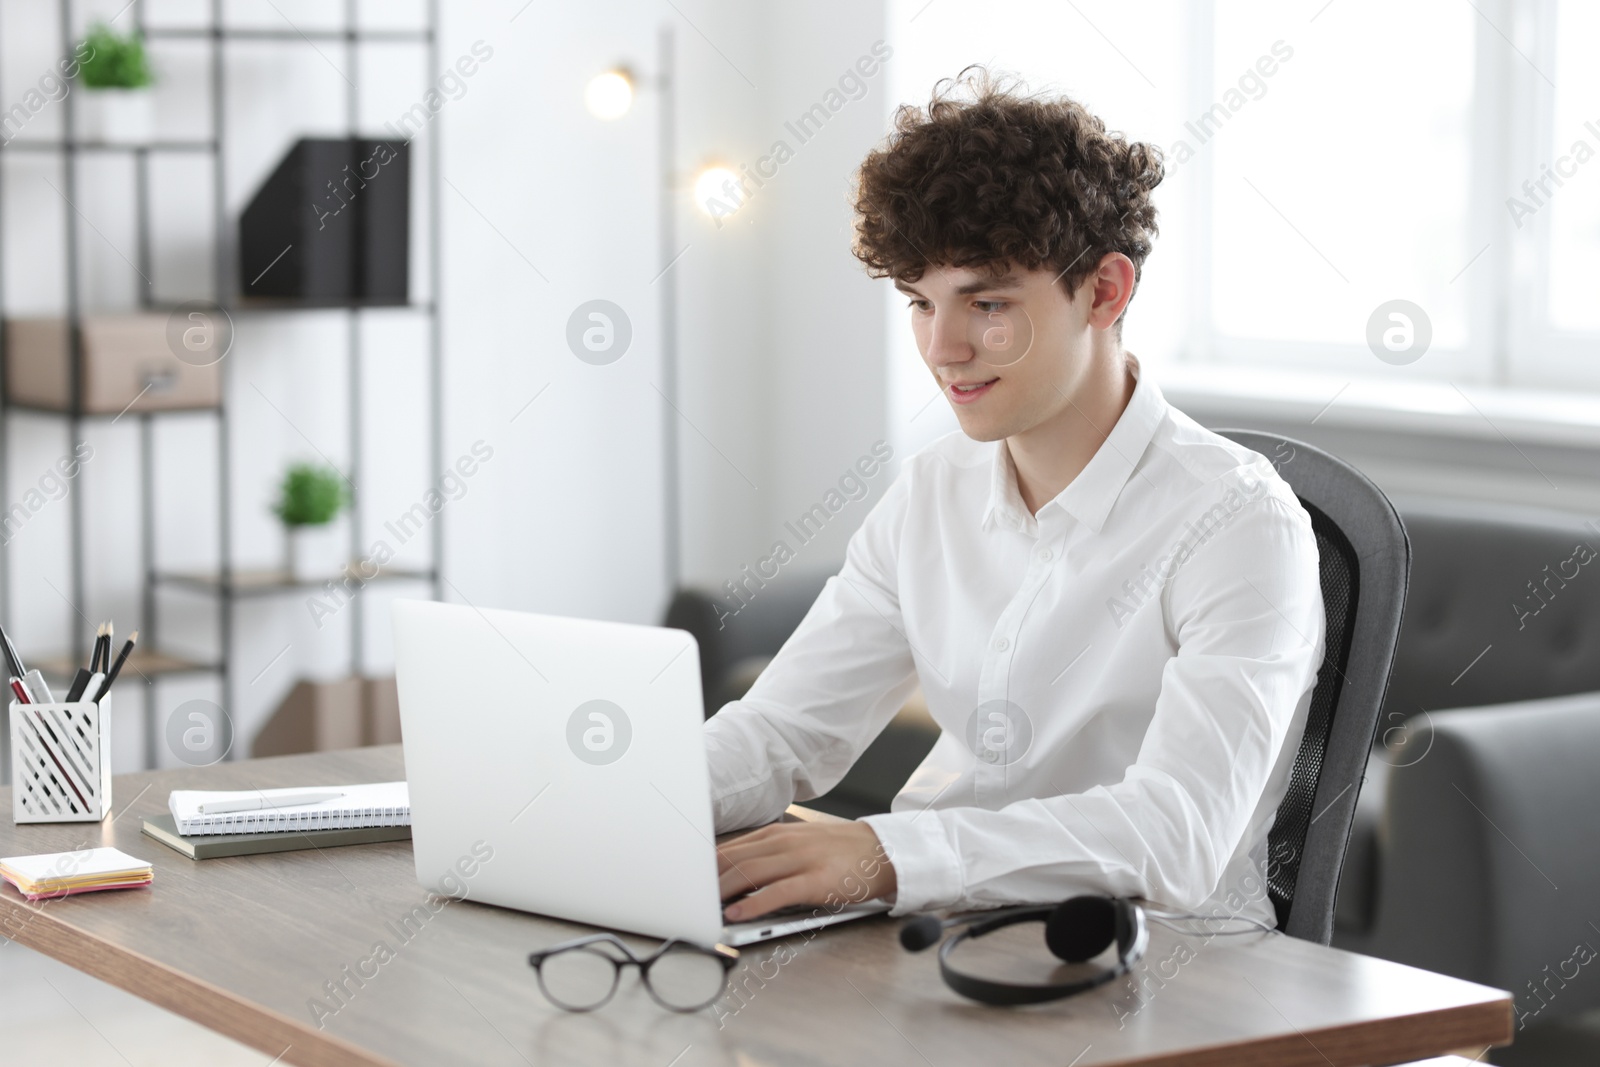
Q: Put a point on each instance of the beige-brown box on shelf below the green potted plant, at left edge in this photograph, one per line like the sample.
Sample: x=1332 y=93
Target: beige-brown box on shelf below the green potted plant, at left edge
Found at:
x=127 y=366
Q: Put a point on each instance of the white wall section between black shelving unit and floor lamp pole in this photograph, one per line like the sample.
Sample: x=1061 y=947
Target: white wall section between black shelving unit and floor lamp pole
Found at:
x=569 y=516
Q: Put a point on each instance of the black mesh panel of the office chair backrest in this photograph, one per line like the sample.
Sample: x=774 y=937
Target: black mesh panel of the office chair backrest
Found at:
x=1287 y=841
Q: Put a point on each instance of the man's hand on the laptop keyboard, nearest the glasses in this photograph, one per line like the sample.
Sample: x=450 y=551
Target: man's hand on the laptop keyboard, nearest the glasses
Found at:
x=804 y=863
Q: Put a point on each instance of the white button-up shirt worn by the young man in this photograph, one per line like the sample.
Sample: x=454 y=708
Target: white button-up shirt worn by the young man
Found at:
x=1121 y=681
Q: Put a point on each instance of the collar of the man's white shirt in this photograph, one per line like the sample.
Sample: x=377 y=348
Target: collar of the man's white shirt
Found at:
x=1089 y=497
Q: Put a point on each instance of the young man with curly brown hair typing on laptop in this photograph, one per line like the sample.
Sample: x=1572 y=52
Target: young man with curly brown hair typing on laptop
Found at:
x=1114 y=613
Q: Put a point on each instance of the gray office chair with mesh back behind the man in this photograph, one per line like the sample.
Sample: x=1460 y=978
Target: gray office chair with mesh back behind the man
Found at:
x=1366 y=565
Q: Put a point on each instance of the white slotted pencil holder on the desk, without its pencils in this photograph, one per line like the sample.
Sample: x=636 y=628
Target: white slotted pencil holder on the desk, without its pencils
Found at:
x=62 y=762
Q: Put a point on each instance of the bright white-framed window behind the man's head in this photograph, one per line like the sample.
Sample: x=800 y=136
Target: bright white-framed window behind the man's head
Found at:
x=1326 y=159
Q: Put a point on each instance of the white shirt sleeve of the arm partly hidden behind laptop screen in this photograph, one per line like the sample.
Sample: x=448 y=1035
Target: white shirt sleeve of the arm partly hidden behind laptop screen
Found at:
x=830 y=692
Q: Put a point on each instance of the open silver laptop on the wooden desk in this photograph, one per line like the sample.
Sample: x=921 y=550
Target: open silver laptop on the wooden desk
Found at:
x=558 y=767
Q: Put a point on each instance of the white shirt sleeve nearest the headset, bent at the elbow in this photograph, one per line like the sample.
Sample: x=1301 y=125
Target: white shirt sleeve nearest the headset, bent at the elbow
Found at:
x=1247 y=618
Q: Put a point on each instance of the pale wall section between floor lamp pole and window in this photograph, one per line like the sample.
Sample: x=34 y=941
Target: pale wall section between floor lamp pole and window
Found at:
x=783 y=334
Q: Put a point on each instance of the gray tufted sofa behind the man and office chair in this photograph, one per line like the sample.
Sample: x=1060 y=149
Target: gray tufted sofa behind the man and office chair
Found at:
x=1478 y=839
